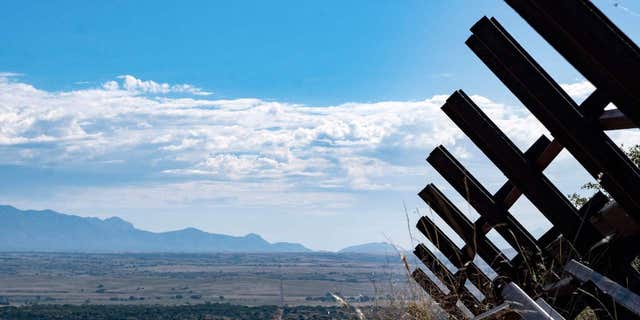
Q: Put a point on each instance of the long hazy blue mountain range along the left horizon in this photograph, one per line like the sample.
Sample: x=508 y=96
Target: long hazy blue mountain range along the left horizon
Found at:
x=48 y=230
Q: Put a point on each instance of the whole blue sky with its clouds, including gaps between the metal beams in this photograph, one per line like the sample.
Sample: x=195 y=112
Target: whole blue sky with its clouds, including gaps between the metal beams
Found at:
x=303 y=121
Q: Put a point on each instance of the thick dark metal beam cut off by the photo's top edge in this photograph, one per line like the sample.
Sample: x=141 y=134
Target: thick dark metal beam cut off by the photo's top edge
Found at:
x=592 y=44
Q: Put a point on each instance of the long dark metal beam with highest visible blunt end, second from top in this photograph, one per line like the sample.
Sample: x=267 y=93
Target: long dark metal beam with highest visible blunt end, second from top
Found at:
x=538 y=92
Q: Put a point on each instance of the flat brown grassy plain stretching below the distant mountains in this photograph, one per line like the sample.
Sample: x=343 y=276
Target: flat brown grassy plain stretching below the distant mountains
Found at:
x=181 y=279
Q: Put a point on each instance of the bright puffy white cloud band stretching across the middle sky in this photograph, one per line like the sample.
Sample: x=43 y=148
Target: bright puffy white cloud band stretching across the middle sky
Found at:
x=246 y=140
